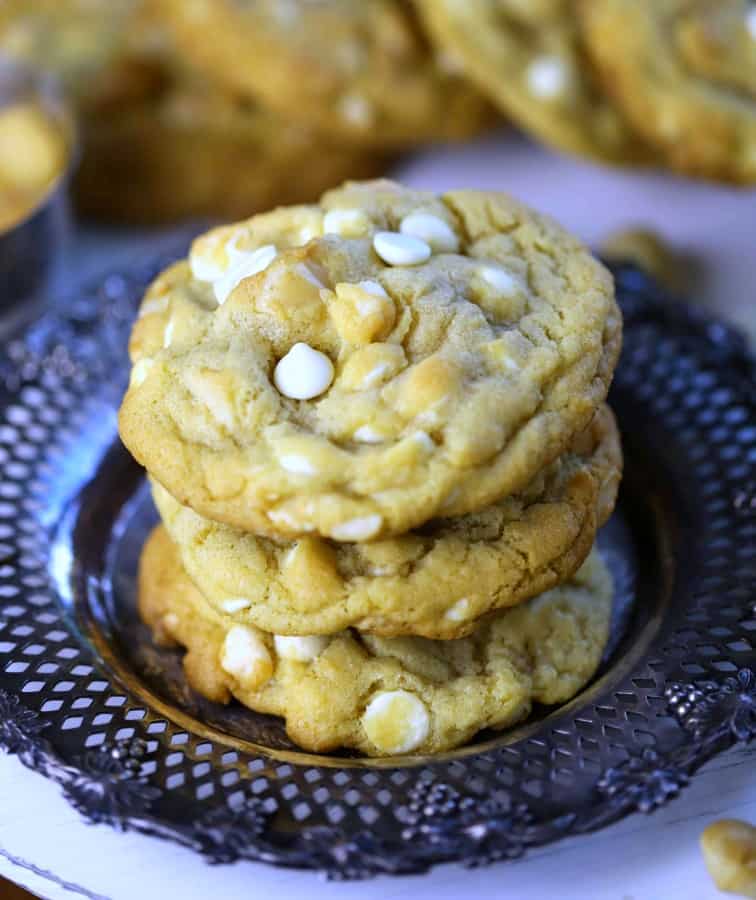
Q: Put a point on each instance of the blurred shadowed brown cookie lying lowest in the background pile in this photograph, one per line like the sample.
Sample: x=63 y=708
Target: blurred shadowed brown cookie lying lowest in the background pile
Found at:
x=159 y=148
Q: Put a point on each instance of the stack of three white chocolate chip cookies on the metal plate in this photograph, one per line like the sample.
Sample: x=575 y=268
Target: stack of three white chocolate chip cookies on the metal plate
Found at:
x=376 y=434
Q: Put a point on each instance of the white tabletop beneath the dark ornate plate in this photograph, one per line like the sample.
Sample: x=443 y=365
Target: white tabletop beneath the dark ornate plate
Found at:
x=44 y=845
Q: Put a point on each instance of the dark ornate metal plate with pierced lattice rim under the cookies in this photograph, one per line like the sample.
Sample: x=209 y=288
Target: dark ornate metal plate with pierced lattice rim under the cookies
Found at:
x=88 y=701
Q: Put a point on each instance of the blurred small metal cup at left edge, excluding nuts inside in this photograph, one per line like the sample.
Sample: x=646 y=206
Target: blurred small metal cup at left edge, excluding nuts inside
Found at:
x=30 y=246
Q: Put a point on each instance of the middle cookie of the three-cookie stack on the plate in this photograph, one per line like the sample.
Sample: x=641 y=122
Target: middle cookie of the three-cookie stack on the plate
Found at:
x=436 y=582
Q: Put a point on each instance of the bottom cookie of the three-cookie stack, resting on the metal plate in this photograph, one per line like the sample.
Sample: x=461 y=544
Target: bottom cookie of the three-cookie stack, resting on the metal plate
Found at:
x=385 y=696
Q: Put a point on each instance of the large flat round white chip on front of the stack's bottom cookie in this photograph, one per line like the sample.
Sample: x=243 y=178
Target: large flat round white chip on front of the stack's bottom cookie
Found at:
x=396 y=721
